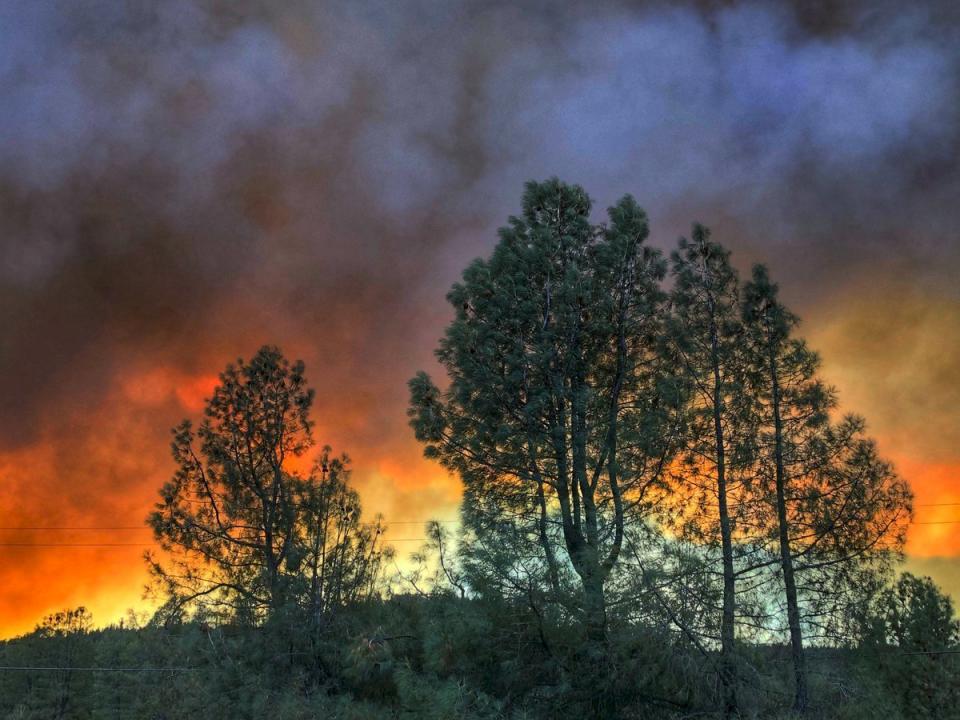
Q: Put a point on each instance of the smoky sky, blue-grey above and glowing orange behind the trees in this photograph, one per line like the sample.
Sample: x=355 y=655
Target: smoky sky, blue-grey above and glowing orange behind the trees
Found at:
x=183 y=181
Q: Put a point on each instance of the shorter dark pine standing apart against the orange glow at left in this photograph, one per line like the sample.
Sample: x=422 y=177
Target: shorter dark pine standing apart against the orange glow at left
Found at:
x=245 y=533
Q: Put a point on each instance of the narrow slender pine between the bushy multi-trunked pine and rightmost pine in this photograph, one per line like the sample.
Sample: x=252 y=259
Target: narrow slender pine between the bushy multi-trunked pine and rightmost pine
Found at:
x=707 y=335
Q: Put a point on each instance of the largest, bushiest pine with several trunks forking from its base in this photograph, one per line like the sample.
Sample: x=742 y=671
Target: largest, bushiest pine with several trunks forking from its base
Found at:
x=555 y=408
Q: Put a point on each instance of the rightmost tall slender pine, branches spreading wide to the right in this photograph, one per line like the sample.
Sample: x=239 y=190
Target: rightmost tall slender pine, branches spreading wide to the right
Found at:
x=836 y=509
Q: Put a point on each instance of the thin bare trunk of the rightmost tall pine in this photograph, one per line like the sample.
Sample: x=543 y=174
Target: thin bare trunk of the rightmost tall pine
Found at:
x=786 y=554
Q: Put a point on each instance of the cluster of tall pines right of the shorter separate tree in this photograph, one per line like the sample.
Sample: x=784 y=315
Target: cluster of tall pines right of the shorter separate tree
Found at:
x=638 y=437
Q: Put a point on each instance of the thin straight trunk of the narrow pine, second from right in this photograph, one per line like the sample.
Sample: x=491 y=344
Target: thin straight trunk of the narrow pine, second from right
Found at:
x=728 y=668
